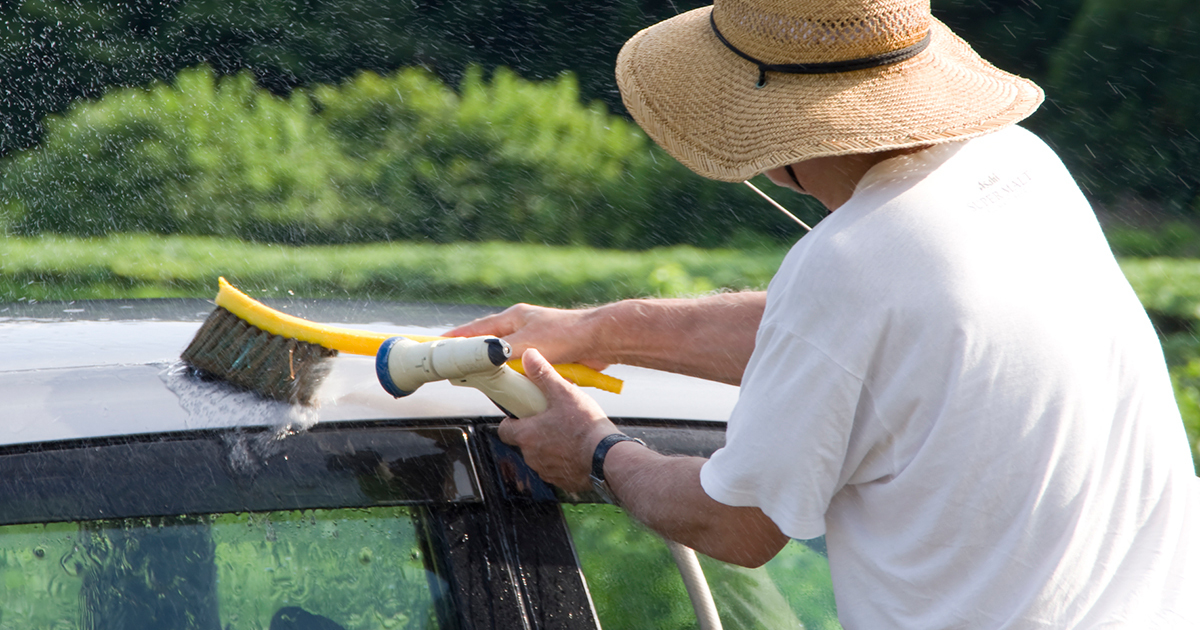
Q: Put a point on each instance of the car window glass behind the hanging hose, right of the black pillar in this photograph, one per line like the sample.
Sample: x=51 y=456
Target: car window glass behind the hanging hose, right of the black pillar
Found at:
x=633 y=580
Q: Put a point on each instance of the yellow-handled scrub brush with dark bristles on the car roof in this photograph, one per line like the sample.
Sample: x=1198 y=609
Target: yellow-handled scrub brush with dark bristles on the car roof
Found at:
x=283 y=357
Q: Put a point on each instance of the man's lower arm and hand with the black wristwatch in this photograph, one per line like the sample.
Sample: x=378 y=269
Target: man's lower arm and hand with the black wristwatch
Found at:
x=661 y=491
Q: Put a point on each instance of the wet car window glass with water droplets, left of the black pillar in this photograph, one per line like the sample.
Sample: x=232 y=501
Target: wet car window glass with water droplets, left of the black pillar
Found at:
x=357 y=569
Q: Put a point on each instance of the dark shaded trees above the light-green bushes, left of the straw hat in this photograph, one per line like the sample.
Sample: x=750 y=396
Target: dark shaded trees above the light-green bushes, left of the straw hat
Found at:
x=58 y=51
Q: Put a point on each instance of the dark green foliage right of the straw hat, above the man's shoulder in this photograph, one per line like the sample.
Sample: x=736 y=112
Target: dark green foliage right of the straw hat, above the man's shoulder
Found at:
x=1123 y=79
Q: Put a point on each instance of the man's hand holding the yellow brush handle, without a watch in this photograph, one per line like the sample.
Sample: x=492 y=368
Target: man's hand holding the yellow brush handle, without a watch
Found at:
x=562 y=337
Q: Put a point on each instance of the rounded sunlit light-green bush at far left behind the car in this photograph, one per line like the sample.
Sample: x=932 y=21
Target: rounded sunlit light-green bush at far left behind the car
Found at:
x=199 y=157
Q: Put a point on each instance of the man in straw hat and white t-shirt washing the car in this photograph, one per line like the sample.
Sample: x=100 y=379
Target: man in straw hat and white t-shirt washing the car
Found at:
x=950 y=377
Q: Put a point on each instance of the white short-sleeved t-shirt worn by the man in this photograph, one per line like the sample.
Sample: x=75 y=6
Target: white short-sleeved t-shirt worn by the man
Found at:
x=955 y=383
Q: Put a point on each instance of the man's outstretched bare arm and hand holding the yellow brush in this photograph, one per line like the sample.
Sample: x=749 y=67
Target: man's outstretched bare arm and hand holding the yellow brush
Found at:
x=709 y=338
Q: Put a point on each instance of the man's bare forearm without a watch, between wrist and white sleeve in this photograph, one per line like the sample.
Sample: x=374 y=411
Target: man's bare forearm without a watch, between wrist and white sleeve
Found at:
x=709 y=338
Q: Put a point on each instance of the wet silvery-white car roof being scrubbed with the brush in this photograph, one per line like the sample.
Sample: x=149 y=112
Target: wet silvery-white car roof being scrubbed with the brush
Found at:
x=111 y=368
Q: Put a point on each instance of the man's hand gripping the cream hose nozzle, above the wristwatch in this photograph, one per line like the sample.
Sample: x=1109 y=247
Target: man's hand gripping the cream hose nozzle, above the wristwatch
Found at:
x=559 y=442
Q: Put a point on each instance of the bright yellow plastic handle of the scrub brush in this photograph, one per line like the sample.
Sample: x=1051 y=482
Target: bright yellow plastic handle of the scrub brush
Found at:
x=364 y=343
